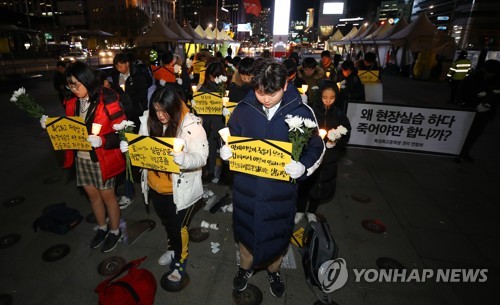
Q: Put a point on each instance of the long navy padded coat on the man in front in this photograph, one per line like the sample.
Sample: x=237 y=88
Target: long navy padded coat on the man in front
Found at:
x=264 y=209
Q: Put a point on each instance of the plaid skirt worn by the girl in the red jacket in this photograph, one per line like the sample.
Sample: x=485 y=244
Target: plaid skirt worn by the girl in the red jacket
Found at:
x=89 y=173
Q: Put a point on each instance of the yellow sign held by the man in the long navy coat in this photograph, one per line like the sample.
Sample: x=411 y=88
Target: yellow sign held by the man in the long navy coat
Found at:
x=263 y=158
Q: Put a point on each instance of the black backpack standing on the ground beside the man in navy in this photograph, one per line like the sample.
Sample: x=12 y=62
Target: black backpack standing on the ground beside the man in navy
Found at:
x=318 y=247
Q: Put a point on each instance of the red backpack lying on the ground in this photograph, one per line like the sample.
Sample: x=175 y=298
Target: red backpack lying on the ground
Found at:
x=137 y=287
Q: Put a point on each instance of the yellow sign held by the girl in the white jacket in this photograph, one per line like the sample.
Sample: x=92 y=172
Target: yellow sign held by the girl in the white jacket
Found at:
x=152 y=152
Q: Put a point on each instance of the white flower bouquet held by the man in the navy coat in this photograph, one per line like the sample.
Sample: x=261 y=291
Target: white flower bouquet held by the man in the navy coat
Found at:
x=299 y=131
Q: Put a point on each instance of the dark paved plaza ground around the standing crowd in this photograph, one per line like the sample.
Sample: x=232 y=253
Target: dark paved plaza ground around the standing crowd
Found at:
x=437 y=214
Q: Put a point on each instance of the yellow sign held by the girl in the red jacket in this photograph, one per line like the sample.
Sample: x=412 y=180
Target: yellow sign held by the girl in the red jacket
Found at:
x=68 y=133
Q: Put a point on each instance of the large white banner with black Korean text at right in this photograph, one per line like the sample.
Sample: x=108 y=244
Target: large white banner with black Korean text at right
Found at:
x=401 y=127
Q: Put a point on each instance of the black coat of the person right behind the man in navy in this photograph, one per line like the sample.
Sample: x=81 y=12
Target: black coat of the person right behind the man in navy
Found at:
x=321 y=185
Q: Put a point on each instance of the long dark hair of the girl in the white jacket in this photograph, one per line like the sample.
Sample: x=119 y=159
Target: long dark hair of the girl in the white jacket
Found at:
x=169 y=100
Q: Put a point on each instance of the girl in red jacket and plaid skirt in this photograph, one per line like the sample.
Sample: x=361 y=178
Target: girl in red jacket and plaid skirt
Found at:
x=96 y=170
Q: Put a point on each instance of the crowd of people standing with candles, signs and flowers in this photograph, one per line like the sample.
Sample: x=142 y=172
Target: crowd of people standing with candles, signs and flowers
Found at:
x=158 y=98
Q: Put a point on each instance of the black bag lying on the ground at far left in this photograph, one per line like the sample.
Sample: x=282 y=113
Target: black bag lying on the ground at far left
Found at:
x=58 y=218
